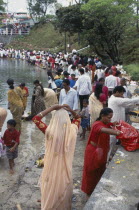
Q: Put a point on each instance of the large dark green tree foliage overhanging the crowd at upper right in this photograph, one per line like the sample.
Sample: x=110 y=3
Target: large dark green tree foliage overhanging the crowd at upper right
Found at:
x=103 y=23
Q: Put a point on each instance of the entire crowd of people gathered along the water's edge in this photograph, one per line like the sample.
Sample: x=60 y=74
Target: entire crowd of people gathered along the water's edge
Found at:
x=82 y=92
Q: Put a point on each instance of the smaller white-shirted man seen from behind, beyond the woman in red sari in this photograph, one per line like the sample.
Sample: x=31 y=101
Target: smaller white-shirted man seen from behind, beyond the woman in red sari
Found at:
x=110 y=82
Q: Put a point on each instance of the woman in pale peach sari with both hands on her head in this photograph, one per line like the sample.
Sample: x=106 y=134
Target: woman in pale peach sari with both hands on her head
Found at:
x=60 y=138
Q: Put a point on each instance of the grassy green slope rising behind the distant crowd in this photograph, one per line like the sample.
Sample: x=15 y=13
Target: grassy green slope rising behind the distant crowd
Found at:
x=45 y=37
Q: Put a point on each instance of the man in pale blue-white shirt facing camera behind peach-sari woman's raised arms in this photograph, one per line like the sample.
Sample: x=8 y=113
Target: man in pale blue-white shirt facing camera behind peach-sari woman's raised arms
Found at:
x=68 y=95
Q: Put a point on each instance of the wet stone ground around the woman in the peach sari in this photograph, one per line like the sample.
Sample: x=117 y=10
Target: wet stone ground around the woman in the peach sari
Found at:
x=22 y=187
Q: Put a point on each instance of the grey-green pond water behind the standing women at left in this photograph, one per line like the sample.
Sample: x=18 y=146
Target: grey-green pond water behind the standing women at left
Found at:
x=20 y=71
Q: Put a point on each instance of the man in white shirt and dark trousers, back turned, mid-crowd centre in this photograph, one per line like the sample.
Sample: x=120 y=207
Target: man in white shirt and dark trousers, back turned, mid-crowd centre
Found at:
x=84 y=87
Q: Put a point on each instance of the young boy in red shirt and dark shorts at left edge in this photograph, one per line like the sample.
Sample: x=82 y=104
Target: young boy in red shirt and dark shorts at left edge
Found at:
x=11 y=140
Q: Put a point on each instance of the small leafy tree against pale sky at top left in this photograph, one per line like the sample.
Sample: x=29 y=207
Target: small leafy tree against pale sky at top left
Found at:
x=38 y=8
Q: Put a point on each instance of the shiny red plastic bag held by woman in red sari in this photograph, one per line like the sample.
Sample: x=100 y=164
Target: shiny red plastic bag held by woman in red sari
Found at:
x=129 y=137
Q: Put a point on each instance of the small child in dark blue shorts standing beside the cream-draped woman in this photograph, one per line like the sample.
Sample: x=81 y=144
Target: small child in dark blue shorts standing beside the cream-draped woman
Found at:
x=85 y=118
